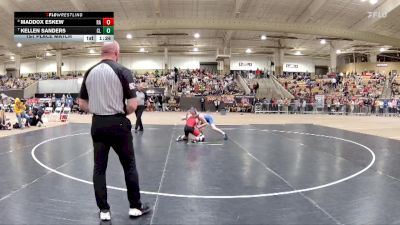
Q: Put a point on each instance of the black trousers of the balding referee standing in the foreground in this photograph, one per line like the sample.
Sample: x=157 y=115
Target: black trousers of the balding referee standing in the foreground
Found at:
x=114 y=131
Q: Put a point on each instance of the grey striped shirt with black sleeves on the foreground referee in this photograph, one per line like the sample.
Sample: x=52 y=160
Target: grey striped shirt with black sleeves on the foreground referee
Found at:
x=106 y=86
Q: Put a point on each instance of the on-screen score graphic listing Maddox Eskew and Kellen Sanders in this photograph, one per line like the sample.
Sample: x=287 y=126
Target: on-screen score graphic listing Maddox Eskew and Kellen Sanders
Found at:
x=64 y=26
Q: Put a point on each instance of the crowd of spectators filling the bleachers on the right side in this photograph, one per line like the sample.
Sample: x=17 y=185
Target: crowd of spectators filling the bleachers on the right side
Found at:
x=344 y=94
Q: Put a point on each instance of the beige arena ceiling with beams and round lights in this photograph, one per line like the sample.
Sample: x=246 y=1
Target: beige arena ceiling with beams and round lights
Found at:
x=230 y=25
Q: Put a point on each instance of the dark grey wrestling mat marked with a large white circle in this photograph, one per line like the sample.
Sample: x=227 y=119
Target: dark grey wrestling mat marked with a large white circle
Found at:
x=264 y=174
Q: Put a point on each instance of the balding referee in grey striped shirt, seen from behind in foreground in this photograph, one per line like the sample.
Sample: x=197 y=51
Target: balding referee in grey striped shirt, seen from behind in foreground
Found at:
x=108 y=92
